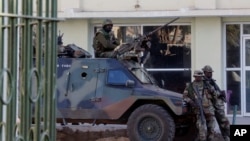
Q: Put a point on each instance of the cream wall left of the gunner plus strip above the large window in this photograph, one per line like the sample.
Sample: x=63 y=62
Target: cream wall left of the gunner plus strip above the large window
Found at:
x=80 y=31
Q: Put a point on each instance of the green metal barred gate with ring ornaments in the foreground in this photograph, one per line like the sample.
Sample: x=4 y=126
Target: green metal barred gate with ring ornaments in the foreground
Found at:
x=28 y=70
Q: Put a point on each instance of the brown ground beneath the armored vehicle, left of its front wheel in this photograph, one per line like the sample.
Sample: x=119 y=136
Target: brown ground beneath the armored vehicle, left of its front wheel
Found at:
x=87 y=132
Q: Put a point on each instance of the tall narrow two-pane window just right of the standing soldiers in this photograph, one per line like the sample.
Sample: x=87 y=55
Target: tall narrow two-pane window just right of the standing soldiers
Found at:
x=233 y=64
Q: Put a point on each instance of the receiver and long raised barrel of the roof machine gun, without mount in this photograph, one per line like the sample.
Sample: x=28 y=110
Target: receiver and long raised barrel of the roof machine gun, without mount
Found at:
x=138 y=42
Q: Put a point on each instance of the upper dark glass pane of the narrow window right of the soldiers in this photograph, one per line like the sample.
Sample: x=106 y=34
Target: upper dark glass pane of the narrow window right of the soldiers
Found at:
x=233 y=45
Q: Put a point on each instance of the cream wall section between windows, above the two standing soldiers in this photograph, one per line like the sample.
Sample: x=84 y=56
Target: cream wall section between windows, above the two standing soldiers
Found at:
x=207 y=45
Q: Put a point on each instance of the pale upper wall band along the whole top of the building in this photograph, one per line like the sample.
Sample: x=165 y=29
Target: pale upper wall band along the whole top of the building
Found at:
x=147 y=5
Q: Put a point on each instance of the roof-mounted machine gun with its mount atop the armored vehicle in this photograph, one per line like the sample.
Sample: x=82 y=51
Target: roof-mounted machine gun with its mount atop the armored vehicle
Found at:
x=141 y=43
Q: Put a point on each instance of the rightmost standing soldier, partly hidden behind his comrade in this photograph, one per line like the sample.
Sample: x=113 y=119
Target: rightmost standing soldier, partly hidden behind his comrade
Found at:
x=218 y=102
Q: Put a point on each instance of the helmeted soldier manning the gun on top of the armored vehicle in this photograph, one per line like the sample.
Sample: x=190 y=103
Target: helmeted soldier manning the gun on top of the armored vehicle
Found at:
x=104 y=41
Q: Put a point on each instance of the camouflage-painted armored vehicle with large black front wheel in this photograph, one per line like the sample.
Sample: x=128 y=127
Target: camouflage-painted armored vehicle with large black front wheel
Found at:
x=112 y=91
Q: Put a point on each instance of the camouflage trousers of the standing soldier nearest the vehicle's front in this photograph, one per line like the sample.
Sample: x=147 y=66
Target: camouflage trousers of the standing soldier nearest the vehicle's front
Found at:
x=206 y=130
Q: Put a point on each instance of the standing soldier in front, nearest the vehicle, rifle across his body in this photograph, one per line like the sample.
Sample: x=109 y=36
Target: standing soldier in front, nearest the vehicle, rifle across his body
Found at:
x=204 y=110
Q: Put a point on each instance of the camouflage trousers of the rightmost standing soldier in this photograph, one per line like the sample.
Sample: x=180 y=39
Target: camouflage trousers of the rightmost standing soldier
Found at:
x=221 y=118
